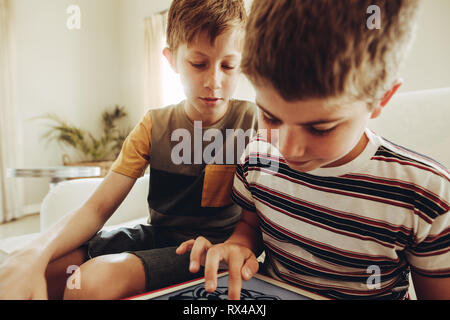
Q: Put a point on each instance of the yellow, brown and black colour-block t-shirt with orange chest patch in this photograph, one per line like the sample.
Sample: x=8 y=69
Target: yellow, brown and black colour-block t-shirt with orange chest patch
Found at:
x=192 y=197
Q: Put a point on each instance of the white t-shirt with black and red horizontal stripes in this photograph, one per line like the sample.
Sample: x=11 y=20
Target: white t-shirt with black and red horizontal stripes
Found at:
x=352 y=231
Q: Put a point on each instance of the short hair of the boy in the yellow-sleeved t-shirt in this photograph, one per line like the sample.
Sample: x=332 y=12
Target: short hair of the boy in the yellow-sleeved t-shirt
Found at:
x=188 y=18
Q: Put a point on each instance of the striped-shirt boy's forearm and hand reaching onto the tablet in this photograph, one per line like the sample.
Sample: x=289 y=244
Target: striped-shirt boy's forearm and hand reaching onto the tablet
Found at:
x=239 y=252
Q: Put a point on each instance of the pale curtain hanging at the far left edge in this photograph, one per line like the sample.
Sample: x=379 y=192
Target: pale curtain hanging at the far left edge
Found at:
x=11 y=190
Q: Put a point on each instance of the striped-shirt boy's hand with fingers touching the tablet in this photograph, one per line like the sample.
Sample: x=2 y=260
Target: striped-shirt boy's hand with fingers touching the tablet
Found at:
x=242 y=263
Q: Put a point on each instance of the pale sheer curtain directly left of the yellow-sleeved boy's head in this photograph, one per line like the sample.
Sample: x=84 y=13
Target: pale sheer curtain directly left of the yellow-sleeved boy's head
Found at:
x=155 y=27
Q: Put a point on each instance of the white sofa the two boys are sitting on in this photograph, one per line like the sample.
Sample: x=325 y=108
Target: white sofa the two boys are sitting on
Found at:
x=418 y=120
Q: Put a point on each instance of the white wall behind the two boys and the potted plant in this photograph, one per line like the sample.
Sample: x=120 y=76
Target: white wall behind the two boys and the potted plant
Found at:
x=76 y=74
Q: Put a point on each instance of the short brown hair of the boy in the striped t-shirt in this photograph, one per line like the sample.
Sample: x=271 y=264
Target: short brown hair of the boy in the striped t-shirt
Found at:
x=323 y=48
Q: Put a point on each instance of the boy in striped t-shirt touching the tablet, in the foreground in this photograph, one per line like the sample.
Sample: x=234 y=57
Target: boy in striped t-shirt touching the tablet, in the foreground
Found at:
x=340 y=210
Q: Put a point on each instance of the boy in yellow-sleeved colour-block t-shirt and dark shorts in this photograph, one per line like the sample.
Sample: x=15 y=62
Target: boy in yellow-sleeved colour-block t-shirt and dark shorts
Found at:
x=186 y=197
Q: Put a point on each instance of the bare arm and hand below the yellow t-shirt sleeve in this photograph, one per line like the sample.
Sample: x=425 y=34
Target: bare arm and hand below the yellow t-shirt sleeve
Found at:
x=22 y=275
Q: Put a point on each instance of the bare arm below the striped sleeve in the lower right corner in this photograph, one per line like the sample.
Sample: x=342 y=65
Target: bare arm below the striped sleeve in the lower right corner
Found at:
x=431 y=288
